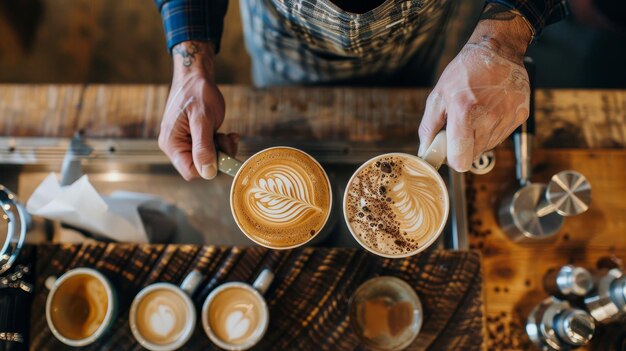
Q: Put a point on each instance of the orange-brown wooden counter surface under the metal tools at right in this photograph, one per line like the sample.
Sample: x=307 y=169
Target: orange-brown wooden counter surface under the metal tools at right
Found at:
x=513 y=272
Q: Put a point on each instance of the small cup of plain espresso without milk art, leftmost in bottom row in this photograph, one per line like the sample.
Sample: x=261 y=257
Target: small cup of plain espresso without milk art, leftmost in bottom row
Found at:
x=80 y=307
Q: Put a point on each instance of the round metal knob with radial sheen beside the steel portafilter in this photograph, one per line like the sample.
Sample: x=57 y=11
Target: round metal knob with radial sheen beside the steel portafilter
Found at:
x=569 y=193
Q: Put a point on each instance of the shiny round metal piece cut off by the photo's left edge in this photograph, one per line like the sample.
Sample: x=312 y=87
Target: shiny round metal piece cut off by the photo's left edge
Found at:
x=13 y=223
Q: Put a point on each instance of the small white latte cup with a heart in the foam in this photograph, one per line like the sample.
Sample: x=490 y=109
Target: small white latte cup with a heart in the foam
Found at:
x=235 y=315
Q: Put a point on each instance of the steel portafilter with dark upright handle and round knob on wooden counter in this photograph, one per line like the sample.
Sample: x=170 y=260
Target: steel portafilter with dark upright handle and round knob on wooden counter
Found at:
x=536 y=211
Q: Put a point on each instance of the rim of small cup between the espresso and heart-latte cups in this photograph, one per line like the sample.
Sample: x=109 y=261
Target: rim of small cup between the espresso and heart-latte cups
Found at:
x=190 y=324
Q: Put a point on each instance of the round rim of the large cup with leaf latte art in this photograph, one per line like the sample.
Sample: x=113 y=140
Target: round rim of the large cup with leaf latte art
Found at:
x=330 y=199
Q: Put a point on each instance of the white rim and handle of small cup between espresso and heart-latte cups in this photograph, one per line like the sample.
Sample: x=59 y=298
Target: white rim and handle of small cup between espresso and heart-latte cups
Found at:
x=185 y=290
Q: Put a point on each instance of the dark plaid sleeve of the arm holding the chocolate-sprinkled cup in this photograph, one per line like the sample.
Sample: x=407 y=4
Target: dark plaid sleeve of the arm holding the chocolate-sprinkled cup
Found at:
x=538 y=13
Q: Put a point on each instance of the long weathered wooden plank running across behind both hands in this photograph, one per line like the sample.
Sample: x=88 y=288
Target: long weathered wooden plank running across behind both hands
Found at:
x=565 y=118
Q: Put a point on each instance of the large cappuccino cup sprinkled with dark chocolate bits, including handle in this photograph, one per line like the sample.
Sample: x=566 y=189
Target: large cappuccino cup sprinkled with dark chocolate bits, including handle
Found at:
x=396 y=205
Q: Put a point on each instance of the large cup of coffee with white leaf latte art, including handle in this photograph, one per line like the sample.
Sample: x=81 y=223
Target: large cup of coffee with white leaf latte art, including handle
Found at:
x=280 y=198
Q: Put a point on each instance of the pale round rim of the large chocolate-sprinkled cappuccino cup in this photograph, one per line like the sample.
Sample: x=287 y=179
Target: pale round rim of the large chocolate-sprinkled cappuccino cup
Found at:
x=442 y=225
